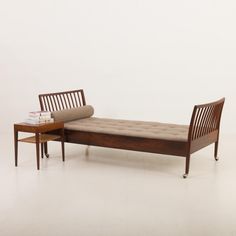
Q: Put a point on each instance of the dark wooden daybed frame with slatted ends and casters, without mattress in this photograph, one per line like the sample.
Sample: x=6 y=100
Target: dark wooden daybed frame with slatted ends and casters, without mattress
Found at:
x=203 y=130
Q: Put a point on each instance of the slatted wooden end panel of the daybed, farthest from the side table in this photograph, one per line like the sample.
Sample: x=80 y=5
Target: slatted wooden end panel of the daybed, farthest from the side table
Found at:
x=205 y=119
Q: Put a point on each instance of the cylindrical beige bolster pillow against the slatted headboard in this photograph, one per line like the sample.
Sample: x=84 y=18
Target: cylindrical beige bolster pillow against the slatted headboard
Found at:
x=73 y=114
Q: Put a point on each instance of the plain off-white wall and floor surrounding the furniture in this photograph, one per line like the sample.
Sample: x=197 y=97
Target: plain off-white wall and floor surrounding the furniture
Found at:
x=143 y=60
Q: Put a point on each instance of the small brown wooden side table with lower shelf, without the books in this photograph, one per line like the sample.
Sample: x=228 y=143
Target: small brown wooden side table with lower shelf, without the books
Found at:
x=40 y=137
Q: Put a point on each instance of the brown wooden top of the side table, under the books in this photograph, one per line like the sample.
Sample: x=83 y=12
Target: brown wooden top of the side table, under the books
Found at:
x=42 y=127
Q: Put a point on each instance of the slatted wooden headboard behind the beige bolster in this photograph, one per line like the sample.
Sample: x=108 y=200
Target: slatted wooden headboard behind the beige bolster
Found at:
x=62 y=100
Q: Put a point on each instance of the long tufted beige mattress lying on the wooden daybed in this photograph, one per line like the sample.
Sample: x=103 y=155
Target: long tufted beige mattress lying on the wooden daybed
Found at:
x=142 y=129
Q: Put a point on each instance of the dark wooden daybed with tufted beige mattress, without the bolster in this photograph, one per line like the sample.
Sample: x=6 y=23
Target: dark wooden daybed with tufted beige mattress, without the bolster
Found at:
x=154 y=137
